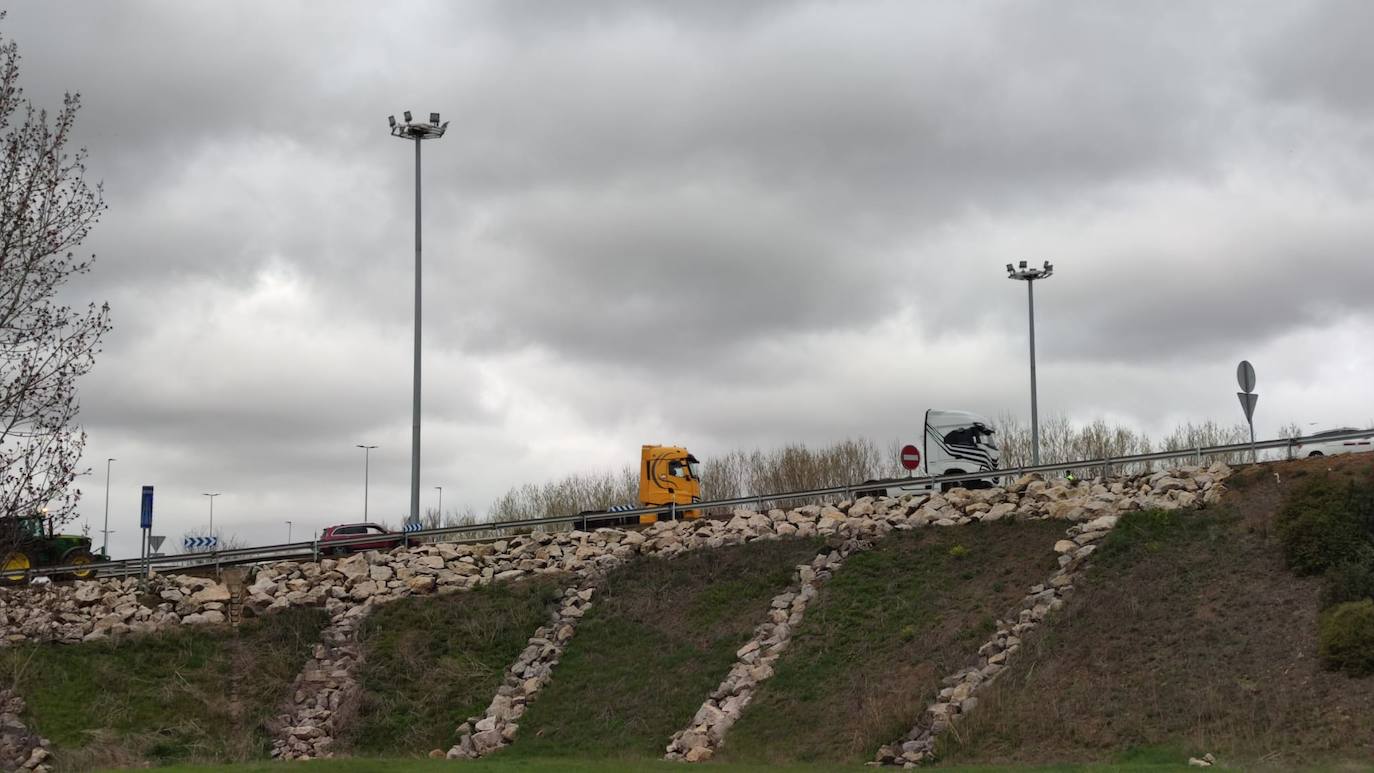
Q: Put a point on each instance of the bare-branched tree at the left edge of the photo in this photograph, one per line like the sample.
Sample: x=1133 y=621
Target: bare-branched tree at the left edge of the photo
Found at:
x=47 y=209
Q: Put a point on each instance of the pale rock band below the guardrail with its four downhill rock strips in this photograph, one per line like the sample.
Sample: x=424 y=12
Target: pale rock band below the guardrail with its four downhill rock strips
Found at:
x=101 y=609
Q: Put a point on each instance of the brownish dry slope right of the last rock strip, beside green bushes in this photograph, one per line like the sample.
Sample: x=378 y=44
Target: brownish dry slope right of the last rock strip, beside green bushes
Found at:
x=1189 y=635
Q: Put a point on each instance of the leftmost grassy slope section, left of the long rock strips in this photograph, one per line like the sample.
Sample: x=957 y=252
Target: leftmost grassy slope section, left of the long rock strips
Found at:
x=186 y=695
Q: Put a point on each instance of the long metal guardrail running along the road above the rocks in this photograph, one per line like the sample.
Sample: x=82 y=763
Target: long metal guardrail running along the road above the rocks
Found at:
x=314 y=550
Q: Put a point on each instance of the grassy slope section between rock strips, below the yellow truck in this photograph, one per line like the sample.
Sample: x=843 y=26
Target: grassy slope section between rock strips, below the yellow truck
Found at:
x=659 y=639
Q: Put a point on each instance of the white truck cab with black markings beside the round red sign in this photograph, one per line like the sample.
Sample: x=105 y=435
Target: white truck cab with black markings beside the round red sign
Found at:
x=953 y=443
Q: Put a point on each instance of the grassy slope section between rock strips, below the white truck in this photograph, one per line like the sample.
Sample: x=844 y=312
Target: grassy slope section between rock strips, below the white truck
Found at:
x=875 y=646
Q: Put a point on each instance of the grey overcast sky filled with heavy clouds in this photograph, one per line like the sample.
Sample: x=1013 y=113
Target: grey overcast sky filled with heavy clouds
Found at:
x=717 y=224
